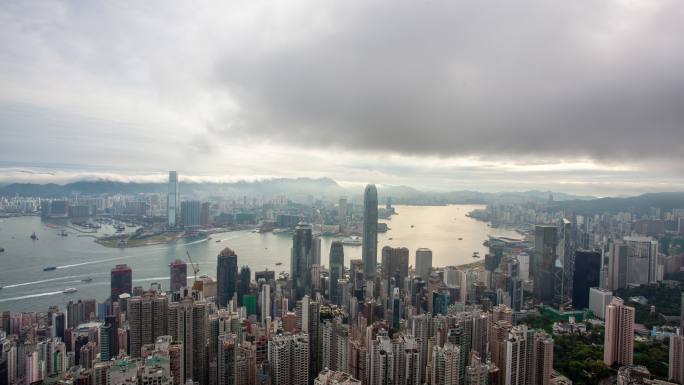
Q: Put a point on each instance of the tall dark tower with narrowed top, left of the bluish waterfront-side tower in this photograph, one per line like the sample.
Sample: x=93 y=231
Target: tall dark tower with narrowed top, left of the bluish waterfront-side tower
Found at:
x=300 y=266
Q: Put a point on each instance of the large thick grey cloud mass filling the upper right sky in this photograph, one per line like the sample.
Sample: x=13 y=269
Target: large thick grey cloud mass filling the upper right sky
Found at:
x=601 y=79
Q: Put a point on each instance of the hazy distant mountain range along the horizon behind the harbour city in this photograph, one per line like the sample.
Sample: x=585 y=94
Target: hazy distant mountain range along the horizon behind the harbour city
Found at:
x=296 y=189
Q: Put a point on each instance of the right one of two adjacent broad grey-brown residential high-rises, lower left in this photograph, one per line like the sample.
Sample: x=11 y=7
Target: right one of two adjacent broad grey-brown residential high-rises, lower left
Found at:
x=188 y=322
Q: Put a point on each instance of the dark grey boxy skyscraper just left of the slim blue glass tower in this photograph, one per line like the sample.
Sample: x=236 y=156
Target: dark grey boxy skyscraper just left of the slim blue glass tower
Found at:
x=544 y=262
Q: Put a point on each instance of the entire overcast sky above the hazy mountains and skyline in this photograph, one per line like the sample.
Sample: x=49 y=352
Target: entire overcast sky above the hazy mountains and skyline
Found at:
x=576 y=96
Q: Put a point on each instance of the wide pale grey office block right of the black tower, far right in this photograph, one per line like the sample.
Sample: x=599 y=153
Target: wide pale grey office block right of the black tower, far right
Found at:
x=643 y=260
